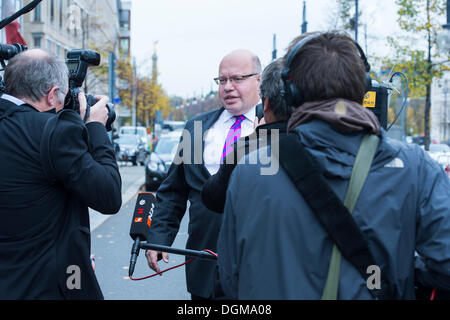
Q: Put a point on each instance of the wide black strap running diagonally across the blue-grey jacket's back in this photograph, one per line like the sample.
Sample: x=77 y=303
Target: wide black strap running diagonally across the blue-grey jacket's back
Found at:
x=329 y=209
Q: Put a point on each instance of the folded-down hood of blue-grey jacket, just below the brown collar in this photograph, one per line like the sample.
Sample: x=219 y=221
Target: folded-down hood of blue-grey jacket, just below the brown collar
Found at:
x=336 y=152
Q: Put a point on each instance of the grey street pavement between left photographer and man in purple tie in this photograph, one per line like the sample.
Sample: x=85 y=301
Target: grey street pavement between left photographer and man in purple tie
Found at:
x=111 y=245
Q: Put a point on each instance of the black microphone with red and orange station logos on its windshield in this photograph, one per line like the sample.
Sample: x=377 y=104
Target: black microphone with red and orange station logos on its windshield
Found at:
x=140 y=224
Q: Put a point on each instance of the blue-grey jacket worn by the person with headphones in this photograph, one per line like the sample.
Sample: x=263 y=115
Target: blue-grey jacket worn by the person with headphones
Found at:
x=271 y=245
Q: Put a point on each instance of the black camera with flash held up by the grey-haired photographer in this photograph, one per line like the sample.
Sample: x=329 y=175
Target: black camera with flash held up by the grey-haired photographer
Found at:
x=78 y=62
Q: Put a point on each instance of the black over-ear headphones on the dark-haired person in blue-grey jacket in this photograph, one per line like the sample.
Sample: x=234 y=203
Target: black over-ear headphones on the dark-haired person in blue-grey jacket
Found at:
x=290 y=92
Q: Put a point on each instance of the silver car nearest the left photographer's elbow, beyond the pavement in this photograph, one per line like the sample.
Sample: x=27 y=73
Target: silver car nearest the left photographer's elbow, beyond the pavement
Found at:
x=130 y=147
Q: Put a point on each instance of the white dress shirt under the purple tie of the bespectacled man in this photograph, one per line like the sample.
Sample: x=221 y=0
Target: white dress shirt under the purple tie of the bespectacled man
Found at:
x=216 y=135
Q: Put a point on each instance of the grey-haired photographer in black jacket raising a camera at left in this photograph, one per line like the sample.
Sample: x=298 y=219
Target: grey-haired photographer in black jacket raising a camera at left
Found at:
x=48 y=181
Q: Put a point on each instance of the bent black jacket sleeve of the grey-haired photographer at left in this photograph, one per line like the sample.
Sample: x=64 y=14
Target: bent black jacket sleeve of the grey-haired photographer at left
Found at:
x=83 y=161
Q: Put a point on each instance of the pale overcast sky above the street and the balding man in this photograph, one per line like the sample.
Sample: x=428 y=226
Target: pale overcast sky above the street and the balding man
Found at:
x=193 y=35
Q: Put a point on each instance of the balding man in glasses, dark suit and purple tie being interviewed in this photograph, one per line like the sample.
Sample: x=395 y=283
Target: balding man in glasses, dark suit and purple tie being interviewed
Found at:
x=206 y=140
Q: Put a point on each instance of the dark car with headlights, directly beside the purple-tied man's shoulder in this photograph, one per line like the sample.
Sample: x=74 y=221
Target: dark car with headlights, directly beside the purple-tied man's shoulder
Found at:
x=161 y=159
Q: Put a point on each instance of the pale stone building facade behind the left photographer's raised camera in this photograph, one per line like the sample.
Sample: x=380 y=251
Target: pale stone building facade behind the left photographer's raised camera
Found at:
x=63 y=25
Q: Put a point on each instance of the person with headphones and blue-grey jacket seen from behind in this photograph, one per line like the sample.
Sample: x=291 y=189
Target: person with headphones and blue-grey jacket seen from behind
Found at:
x=275 y=244
